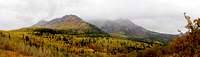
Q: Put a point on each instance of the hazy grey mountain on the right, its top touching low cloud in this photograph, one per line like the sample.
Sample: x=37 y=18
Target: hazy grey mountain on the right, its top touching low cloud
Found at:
x=126 y=28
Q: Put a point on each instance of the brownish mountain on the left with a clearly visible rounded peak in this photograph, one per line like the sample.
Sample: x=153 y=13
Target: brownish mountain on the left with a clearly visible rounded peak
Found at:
x=68 y=22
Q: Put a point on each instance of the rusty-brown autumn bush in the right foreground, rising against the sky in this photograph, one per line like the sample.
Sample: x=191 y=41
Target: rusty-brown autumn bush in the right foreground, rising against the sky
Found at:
x=185 y=45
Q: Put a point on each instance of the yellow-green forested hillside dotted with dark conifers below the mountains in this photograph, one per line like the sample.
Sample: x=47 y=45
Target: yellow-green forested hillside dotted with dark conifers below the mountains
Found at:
x=44 y=42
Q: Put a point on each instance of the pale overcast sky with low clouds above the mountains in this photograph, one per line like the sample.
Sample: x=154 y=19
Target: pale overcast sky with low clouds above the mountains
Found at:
x=157 y=15
